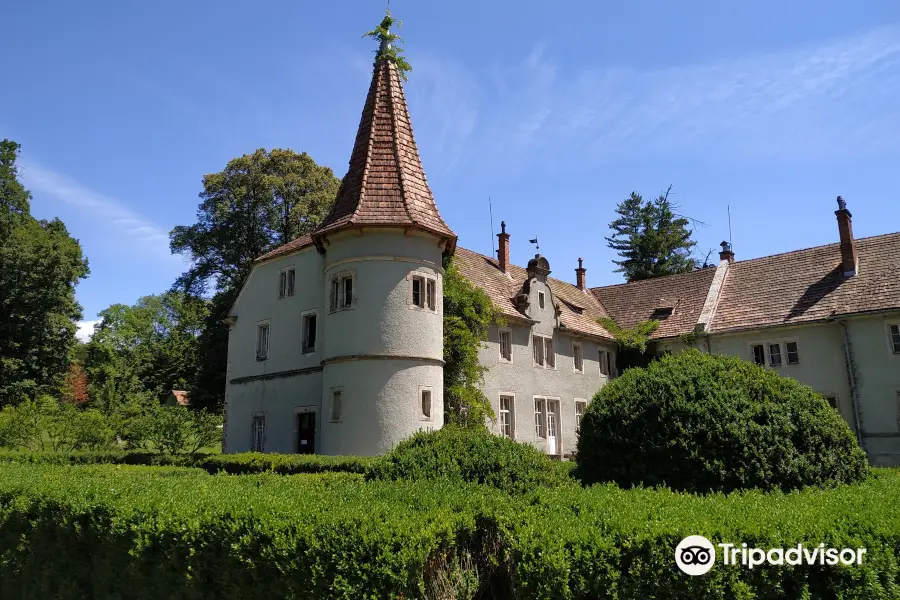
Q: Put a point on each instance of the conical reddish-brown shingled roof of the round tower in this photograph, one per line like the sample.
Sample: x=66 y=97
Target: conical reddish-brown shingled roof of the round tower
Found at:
x=386 y=183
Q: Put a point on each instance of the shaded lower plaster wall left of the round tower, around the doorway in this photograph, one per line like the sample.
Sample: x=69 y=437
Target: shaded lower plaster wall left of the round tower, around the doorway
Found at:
x=277 y=399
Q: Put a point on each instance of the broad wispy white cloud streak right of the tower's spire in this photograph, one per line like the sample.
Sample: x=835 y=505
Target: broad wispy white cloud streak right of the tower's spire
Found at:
x=833 y=101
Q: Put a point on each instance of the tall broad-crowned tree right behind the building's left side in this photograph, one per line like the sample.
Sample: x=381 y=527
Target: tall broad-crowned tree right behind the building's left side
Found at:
x=259 y=202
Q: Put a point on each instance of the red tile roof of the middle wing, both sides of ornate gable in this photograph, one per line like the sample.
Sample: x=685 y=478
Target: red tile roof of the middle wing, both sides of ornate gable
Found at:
x=579 y=310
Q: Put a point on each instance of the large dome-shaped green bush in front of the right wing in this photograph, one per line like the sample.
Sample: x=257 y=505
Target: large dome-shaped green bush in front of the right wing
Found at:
x=699 y=422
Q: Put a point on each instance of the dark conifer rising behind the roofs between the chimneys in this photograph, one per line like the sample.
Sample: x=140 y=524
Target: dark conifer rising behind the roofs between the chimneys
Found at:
x=650 y=238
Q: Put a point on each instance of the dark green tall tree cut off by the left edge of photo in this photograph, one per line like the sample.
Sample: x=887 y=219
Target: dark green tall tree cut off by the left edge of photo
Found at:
x=40 y=265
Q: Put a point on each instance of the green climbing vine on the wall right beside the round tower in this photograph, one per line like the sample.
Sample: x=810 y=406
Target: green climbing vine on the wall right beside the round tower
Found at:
x=468 y=314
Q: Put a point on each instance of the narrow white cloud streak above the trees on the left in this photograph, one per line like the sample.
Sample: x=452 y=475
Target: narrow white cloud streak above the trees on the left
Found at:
x=112 y=215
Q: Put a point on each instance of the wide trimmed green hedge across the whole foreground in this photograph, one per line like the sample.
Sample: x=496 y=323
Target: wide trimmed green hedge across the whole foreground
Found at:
x=123 y=531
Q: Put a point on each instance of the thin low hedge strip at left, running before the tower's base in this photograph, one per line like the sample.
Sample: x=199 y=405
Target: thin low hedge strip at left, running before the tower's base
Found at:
x=234 y=464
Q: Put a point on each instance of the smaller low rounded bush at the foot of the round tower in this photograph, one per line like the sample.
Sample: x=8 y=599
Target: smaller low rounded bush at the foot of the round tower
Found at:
x=469 y=455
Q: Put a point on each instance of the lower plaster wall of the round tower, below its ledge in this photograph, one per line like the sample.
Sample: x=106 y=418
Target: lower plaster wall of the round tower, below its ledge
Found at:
x=381 y=404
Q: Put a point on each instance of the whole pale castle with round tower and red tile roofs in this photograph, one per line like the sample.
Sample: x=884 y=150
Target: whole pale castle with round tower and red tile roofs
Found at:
x=336 y=338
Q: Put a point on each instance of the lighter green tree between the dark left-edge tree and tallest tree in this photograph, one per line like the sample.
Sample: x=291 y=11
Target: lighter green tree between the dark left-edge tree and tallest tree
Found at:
x=150 y=347
